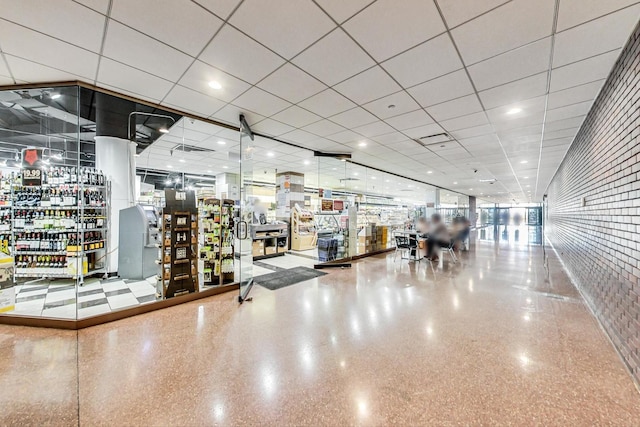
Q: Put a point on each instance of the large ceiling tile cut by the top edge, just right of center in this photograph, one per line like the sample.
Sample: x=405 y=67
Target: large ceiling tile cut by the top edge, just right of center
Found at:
x=414 y=22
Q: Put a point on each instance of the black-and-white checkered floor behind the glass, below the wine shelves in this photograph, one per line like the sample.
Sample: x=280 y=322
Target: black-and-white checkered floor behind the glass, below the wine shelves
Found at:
x=58 y=300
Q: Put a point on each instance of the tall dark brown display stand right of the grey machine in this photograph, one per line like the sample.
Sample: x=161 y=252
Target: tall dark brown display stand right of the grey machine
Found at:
x=178 y=252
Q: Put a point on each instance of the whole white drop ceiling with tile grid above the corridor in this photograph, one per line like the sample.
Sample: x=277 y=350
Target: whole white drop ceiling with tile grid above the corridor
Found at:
x=329 y=73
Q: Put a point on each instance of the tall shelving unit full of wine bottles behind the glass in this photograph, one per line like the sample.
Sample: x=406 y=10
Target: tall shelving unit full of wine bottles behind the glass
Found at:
x=59 y=226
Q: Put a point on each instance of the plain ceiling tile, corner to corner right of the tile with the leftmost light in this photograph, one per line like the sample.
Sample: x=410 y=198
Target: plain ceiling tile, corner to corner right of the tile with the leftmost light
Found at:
x=292 y=84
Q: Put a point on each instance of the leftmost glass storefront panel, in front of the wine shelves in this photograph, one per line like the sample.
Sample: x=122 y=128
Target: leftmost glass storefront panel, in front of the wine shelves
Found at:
x=39 y=159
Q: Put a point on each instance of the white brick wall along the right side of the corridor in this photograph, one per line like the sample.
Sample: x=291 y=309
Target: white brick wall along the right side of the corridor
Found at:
x=594 y=206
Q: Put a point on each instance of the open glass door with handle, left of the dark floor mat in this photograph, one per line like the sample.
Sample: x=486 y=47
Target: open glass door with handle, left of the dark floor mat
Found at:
x=246 y=213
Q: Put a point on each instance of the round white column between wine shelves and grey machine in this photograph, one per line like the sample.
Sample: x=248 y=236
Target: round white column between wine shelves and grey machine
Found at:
x=115 y=158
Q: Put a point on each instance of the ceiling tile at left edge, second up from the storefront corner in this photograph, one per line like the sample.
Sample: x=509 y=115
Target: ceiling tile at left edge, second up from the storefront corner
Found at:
x=32 y=46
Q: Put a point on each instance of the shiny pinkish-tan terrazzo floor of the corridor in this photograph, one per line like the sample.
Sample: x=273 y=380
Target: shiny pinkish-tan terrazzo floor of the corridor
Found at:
x=501 y=338
